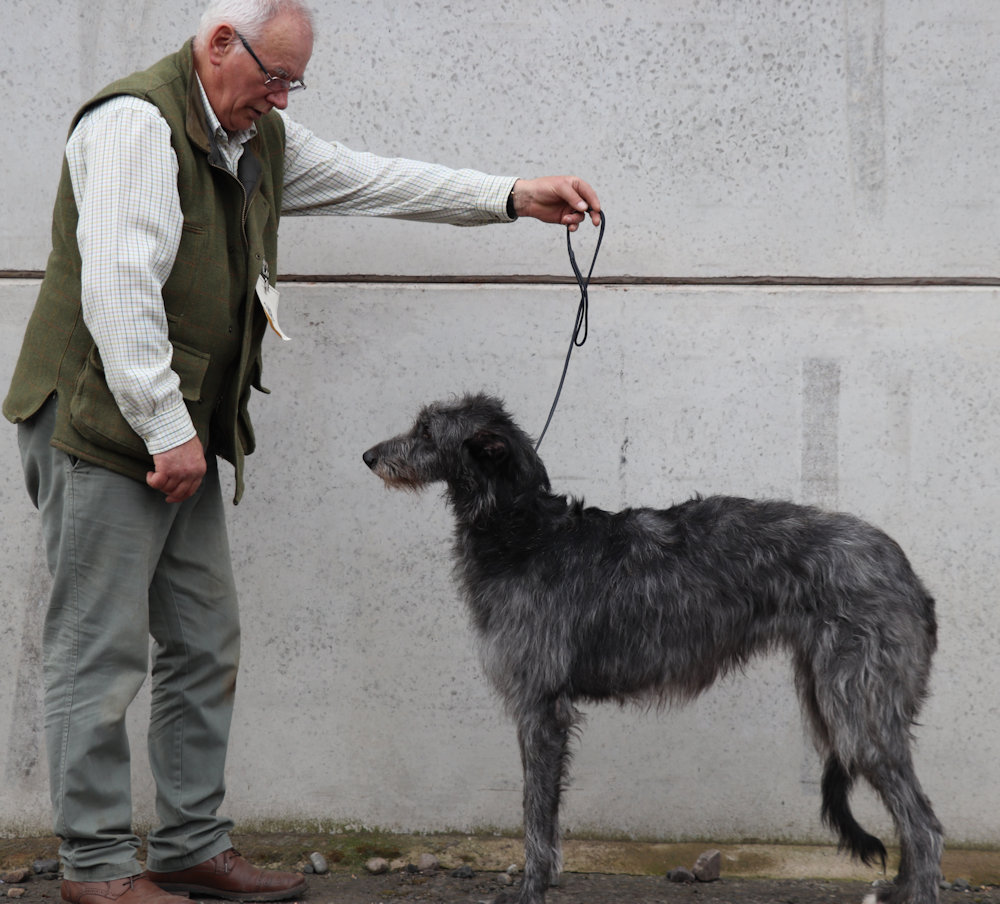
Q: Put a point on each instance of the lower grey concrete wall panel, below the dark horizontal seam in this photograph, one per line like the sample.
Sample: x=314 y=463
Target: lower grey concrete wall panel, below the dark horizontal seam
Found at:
x=360 y=699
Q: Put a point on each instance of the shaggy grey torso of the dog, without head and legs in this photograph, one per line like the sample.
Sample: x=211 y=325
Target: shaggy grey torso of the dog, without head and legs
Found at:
x=661 y=602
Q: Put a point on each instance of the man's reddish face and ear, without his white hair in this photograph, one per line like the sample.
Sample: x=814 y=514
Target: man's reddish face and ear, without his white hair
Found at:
x=239 y=95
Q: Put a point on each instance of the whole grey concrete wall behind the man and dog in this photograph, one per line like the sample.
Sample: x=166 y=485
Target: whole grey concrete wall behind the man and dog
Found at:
x=809 y=139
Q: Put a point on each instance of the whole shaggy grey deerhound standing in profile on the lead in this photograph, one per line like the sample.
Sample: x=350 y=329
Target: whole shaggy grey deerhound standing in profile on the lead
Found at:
x=652 y=605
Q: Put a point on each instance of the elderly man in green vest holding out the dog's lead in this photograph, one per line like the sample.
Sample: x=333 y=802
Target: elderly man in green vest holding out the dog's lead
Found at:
x=133 y=379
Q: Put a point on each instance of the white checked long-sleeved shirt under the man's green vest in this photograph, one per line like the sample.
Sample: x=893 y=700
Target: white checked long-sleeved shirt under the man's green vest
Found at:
x=124 y=176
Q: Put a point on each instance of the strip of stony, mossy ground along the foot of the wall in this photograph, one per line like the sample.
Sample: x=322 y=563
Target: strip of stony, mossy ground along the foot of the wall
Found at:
x=597 y=872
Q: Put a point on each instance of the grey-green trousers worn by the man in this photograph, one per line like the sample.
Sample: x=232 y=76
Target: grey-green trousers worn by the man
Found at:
x=127 y=565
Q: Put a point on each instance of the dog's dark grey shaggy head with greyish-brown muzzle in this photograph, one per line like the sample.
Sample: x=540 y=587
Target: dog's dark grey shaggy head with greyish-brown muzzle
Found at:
x=472 y=445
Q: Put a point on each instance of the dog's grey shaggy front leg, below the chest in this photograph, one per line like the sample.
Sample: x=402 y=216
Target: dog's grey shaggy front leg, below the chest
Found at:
x=543 y=732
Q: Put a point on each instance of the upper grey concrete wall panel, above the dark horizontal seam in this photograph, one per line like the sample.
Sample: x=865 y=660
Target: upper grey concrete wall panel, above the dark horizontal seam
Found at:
x=806 y=138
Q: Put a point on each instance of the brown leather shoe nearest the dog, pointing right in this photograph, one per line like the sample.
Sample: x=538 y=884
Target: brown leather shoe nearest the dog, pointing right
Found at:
x=228 y=875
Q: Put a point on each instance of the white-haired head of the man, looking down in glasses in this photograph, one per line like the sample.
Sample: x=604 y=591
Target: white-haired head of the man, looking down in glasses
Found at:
x=278 y=32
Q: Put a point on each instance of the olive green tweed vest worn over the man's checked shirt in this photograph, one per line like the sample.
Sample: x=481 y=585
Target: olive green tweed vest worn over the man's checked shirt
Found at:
x=215 y=323
